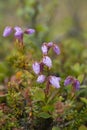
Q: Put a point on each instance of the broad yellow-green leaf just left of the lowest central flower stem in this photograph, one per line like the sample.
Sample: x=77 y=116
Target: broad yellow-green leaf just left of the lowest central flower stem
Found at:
x=39 y=95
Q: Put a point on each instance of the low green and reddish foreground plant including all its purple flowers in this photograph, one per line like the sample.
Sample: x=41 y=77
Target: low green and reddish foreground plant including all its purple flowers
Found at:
x=36 y=97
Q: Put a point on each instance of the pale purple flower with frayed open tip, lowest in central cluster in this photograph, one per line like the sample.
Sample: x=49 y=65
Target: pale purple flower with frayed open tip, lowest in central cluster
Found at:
x=55 y=81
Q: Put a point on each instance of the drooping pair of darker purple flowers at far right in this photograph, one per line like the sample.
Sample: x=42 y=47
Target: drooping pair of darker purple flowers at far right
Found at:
x=73 y=81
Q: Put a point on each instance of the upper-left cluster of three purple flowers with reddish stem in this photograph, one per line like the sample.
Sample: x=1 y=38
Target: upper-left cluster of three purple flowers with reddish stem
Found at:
x=18 y=32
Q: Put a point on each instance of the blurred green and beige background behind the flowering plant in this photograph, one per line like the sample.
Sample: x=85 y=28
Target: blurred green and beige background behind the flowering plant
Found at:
x=60 y=21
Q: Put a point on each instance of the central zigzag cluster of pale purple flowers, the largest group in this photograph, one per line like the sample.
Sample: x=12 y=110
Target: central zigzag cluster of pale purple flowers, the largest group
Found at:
x=46 y=61
